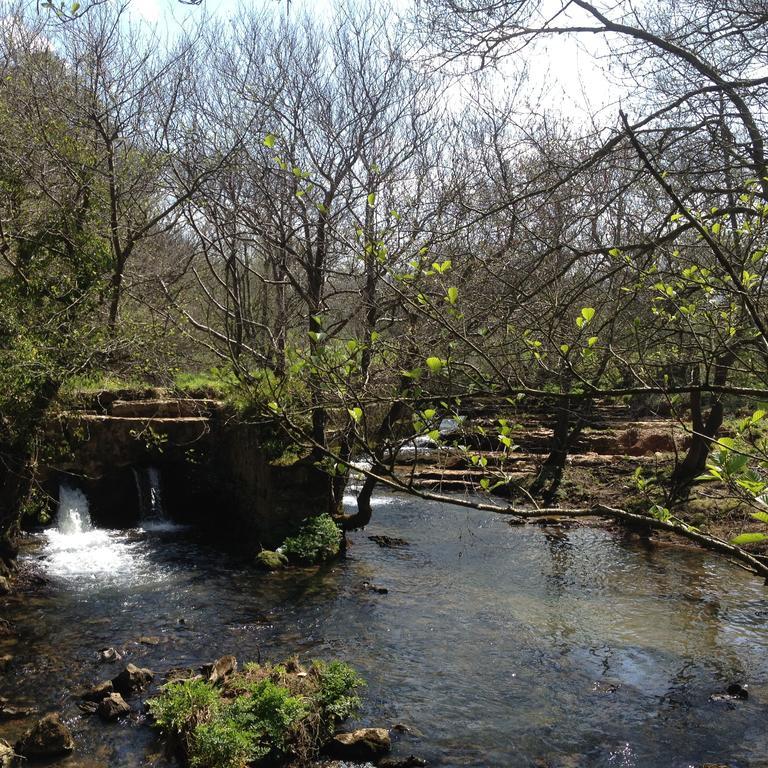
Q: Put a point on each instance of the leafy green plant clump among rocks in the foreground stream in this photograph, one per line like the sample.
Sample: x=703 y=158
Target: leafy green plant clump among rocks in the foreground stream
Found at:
x=266 y=715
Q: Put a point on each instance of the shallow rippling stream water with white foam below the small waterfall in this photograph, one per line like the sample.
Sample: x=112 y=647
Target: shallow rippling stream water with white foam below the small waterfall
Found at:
x=497 y=646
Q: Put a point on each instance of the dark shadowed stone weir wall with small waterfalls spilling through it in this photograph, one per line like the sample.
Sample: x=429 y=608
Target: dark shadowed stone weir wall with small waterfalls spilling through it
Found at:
x=215 y=470
